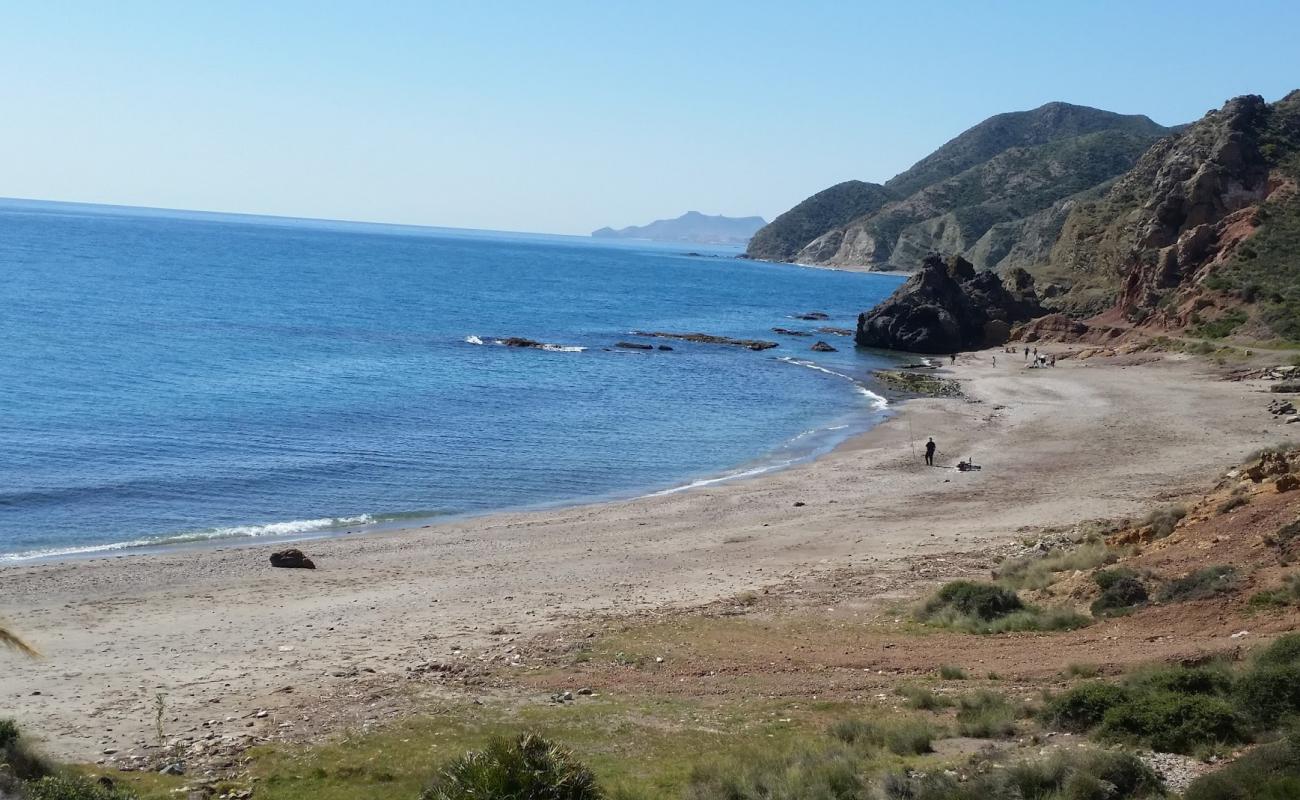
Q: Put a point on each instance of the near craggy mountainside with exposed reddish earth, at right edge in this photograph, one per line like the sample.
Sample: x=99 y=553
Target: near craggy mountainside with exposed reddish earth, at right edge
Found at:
x=1202 y=235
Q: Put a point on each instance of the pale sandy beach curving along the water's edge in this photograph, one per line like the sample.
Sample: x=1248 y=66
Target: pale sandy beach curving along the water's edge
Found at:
x=211 y=629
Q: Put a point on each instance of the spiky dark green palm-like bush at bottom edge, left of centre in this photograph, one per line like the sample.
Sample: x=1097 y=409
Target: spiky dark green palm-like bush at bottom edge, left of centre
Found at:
x=528 y=768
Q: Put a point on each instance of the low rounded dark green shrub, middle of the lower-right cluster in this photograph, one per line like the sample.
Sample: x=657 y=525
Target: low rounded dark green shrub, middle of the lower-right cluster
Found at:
x=1172 y=723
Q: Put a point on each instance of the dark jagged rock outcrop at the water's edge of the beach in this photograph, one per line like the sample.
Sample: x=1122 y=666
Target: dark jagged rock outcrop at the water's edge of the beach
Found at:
x=947 y=308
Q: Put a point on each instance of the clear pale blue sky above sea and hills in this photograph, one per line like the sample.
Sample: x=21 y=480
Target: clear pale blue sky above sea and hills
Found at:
x=569 y=116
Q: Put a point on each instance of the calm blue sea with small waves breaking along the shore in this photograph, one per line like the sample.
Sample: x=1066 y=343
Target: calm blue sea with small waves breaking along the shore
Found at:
x=177 y=377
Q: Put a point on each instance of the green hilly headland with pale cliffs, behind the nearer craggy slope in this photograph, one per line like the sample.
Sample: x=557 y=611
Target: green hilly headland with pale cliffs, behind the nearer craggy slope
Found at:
x=998 y=194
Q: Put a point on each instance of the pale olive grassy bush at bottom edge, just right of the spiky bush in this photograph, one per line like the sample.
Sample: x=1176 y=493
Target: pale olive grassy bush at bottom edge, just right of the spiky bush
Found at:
x=818 y=772
